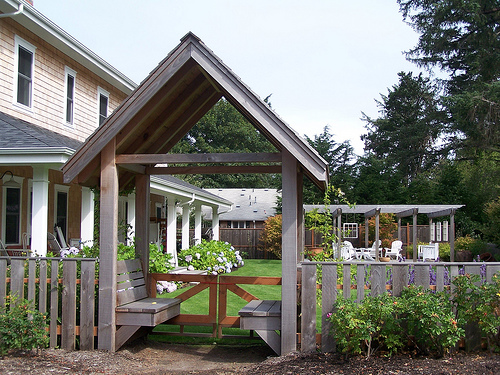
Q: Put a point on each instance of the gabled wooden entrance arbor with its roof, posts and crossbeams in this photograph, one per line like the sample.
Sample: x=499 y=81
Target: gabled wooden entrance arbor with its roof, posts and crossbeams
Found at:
x=125 y=150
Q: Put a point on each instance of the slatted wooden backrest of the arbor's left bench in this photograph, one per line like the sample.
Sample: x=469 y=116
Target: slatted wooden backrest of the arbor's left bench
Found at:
x=130 y=283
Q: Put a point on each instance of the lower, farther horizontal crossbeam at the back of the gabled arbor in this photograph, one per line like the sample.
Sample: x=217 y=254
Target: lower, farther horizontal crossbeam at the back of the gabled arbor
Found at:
x=215 y=169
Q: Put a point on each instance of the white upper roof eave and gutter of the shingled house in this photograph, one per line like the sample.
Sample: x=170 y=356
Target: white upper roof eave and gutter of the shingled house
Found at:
x=41 y=26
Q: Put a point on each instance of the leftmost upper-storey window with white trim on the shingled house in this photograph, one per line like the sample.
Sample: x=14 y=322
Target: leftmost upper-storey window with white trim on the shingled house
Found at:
x=24 y=63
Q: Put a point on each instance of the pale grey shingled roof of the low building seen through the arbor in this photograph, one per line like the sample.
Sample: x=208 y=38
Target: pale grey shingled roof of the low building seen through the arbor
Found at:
x=248 y=204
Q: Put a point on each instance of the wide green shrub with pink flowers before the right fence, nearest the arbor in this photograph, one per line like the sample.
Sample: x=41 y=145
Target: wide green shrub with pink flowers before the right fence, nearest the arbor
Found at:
x=425 y=318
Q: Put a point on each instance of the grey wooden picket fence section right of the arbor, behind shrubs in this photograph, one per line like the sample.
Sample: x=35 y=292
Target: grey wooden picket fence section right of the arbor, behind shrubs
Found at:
x=372 y=277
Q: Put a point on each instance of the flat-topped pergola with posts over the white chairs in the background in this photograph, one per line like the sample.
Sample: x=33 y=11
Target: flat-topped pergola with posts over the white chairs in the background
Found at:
x=368 y=211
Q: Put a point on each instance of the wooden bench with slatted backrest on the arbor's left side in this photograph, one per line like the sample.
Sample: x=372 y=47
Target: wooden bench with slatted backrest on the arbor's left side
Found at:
x=134 y=309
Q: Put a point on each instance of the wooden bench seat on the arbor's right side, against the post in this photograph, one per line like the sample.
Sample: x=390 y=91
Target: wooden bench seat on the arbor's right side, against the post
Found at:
x=263 y=317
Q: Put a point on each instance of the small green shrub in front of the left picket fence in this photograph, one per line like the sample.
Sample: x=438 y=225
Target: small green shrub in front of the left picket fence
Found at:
x=22 y=327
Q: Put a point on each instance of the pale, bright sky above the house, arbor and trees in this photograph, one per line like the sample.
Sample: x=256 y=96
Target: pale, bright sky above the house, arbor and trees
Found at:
x=323 y=61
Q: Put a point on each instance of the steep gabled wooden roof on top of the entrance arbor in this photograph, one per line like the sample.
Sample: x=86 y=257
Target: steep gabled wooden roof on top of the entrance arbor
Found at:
x=169 y=102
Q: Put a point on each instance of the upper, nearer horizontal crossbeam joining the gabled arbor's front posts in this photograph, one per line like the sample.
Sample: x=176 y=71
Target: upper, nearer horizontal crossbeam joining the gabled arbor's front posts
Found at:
x=262 y=157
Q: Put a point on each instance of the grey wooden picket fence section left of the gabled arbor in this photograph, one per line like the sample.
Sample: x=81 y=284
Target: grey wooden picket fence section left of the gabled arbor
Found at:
x=68 y=297
